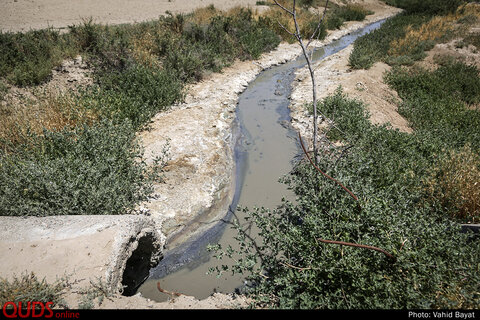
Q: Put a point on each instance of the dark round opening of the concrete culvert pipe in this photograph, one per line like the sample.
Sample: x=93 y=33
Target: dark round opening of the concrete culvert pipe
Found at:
x=138 y=266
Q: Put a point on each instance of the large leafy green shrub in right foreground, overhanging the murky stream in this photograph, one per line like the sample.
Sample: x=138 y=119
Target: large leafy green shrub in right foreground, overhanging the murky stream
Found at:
x=288 y=266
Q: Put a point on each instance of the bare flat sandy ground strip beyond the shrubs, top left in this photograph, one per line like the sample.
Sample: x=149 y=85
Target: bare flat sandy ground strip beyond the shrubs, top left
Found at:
x=23 y=15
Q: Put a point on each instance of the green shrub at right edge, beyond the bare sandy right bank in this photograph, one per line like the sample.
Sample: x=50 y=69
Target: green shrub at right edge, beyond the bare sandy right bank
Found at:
x=436 y=101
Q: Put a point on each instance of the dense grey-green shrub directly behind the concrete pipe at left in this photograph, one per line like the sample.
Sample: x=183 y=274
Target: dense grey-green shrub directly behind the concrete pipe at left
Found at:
x=90 y=170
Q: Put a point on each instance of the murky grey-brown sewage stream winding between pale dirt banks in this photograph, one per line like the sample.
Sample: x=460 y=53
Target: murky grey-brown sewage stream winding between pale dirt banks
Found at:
x=265 y=152
